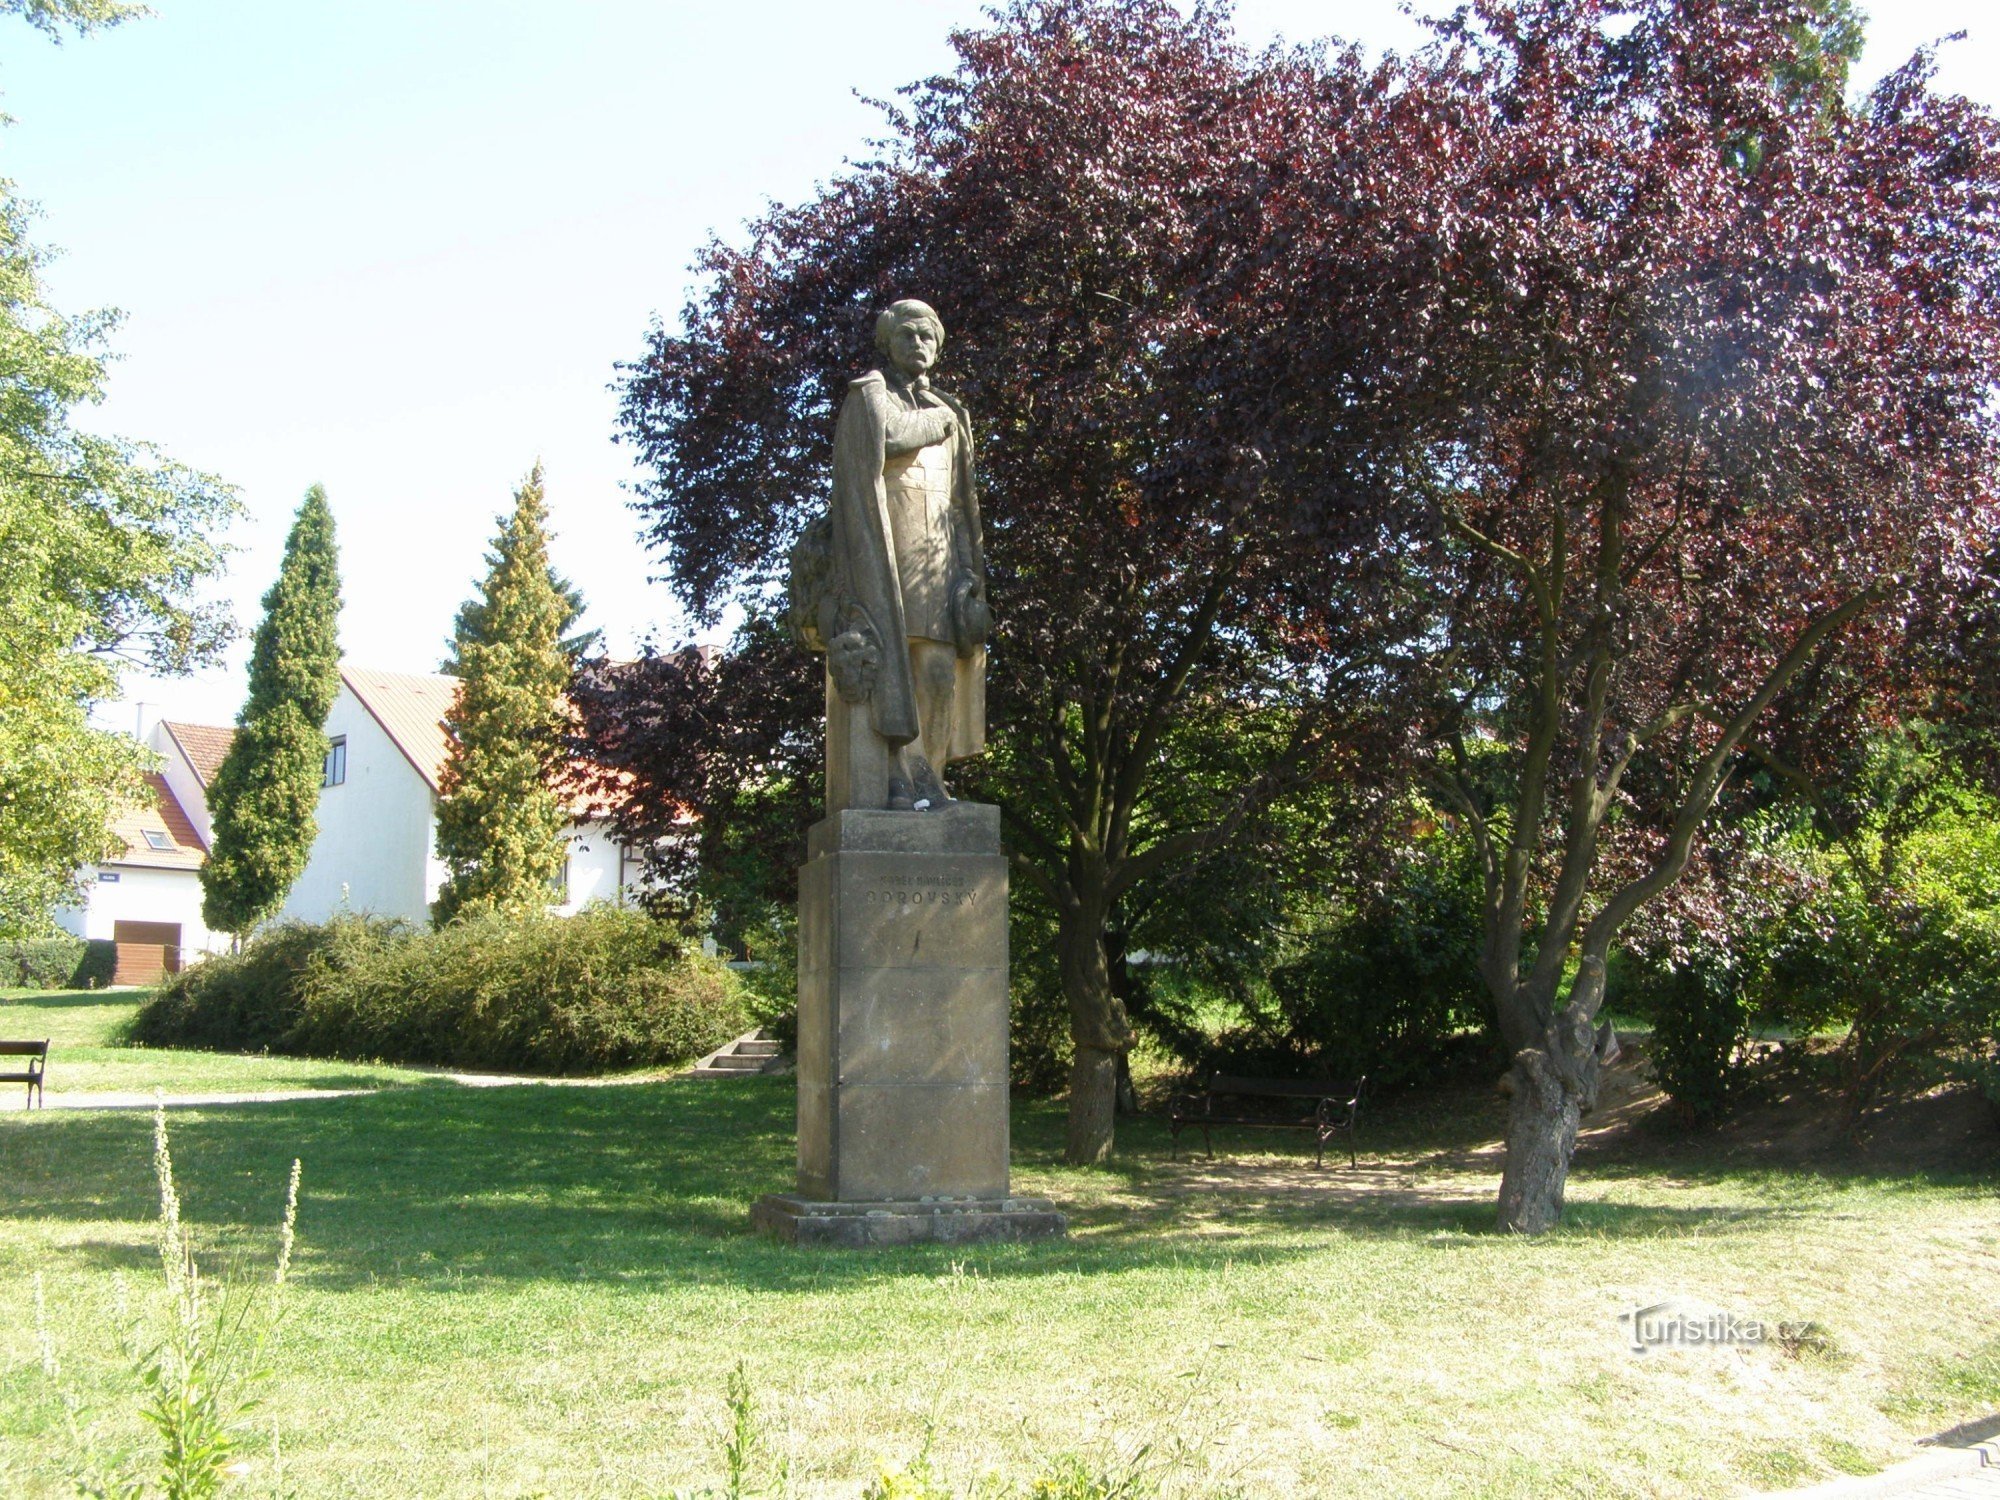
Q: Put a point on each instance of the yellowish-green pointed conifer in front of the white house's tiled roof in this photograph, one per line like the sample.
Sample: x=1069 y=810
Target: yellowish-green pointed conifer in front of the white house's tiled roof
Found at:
x=499 y=819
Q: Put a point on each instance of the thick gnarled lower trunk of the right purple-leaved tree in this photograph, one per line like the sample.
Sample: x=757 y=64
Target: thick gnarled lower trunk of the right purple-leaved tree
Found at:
x=1555 y=1085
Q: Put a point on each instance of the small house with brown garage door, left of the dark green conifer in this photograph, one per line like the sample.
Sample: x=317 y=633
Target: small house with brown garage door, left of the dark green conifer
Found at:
x=149 y=897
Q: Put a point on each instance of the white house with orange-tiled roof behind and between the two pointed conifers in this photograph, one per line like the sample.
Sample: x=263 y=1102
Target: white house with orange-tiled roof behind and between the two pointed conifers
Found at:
x=379 y=809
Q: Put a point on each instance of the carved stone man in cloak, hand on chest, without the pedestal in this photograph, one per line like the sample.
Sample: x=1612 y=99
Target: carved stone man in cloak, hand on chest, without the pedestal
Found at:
x=893 y=585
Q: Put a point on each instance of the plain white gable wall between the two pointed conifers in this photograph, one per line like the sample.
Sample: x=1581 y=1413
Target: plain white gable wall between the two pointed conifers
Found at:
x=375 y=845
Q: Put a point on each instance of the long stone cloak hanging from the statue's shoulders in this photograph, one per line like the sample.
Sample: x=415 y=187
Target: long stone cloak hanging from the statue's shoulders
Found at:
x=865 y=567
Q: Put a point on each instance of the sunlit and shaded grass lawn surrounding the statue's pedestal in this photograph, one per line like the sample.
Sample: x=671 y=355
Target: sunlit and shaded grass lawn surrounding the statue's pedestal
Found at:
x=543 y=1291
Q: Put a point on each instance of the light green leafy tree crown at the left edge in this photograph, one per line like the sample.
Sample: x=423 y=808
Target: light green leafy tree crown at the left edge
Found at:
x=103 y=547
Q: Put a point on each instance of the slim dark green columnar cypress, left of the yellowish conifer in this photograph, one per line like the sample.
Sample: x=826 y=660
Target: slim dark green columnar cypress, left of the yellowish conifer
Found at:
x=269 y=787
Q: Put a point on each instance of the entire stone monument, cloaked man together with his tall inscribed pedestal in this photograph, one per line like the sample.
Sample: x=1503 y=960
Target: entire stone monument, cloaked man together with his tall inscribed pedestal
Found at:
x=903 y=931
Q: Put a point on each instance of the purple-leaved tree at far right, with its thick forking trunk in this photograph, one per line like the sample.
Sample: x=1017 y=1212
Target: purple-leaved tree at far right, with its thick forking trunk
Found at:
x=1707 y=375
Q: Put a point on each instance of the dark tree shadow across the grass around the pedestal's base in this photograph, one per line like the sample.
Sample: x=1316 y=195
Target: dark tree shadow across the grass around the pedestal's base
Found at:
x=649 y=1185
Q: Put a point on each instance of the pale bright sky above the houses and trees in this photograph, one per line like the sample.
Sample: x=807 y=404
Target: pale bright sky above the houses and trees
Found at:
x=399 y=249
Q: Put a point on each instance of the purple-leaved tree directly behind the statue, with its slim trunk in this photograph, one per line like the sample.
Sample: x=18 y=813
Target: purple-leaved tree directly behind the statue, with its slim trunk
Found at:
x=1071 y=199
